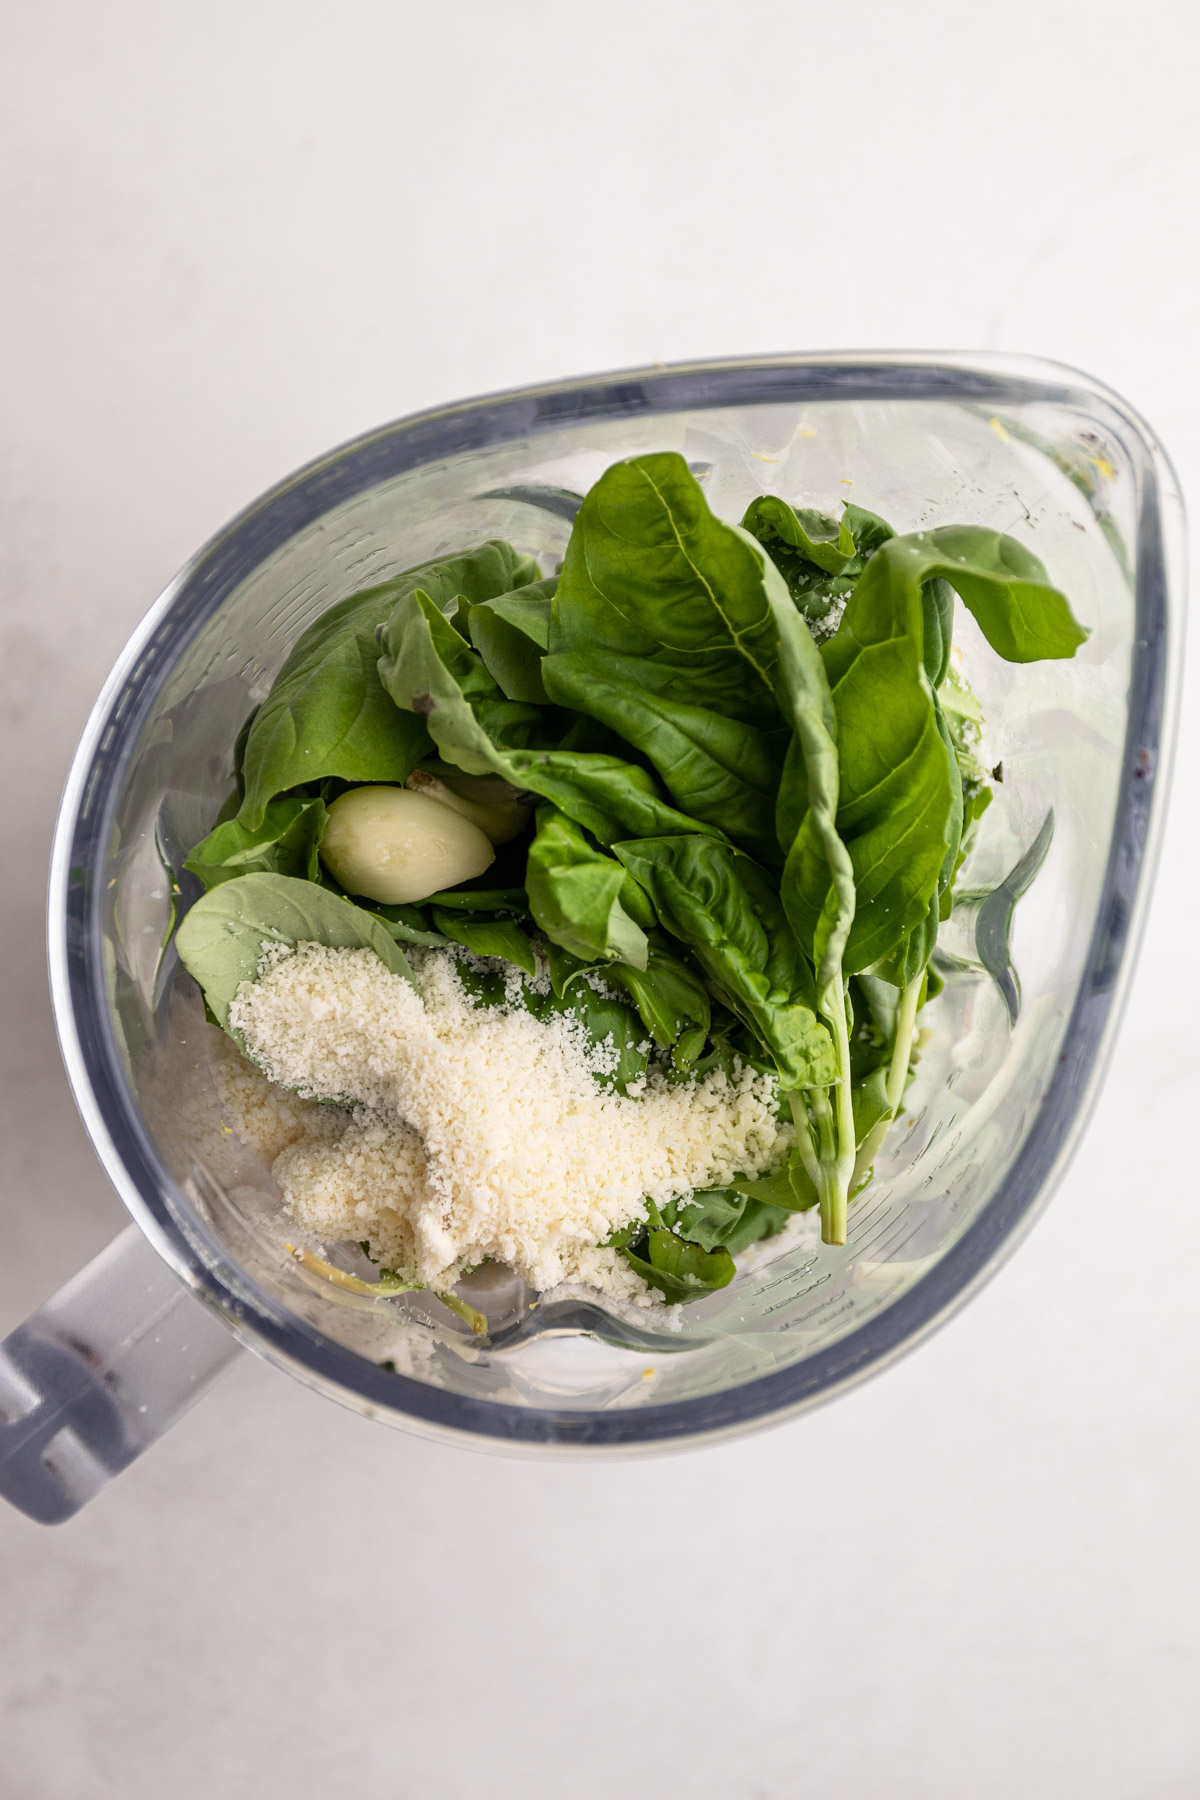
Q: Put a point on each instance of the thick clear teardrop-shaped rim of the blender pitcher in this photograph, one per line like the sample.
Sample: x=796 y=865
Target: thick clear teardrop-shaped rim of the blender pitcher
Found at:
x=78 y=868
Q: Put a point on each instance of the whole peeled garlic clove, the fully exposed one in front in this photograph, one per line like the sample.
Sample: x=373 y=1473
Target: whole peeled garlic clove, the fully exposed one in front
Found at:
x=397 y=847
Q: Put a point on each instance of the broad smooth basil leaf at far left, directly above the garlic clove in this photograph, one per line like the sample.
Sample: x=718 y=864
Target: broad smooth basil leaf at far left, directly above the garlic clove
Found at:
x=328 y=714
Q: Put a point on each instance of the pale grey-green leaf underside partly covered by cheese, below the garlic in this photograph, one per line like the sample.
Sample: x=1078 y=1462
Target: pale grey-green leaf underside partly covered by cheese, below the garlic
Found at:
x=226 y=935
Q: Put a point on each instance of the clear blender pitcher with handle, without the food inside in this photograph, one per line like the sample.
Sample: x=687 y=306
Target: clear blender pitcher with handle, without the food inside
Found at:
x=1035 y=958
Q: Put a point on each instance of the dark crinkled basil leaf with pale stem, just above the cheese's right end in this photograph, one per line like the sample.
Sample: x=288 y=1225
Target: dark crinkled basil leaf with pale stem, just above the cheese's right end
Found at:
x=728 y=912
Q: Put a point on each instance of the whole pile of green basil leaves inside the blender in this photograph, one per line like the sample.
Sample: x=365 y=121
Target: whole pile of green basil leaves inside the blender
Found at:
x=755 y=789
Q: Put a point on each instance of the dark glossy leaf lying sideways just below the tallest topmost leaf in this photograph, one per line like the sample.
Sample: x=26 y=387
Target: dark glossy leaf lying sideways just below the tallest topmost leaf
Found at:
x=721 y=771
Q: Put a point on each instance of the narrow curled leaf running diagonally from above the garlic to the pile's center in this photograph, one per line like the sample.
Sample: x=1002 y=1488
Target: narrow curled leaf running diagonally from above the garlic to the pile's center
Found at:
x=429 y=669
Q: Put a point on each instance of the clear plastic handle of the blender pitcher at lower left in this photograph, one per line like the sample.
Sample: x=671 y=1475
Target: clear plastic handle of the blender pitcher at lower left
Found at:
x=102 y=1371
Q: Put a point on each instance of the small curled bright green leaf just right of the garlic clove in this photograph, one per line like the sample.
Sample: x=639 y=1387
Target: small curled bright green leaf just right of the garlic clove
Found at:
x=584 y=899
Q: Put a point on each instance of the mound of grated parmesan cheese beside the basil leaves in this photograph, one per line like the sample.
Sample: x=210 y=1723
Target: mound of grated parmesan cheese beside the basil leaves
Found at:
x=476 y=1131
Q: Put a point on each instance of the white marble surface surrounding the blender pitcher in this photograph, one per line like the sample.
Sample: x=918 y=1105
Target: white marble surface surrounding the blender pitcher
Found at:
x=240 y=233
